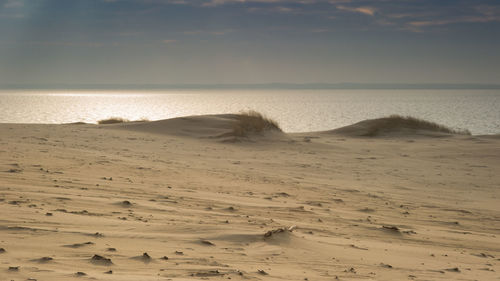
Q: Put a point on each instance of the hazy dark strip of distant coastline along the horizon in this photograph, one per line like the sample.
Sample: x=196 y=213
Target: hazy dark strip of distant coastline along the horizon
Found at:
x=270 y=86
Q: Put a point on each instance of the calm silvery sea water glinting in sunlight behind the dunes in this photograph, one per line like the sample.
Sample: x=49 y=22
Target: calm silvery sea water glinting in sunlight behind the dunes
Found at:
x=295 y=110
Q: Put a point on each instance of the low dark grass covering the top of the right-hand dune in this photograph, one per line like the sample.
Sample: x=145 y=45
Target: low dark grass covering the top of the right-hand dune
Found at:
x=395 y=122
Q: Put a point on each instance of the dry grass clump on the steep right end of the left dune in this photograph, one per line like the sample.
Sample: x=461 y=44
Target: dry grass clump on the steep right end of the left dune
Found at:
x=251 y=121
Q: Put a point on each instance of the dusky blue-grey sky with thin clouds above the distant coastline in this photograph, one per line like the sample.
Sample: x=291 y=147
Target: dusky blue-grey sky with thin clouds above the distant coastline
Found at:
x=249 y=41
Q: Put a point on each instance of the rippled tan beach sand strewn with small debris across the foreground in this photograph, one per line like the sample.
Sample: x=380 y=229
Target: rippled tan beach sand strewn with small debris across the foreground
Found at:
x=174 y=200
